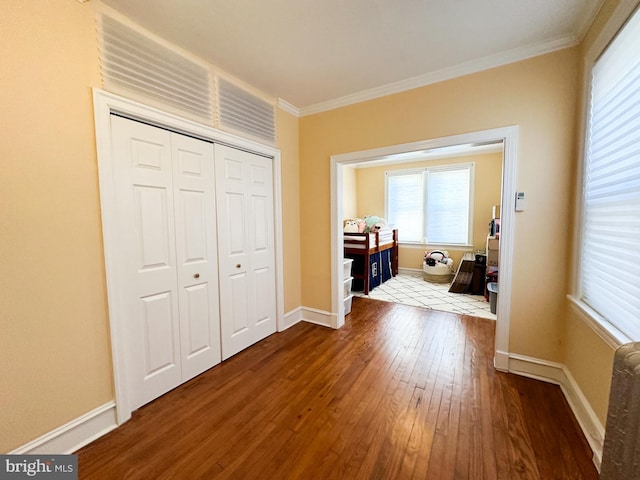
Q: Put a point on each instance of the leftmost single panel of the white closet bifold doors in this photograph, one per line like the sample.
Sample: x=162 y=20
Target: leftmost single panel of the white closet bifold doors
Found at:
x=146 y=268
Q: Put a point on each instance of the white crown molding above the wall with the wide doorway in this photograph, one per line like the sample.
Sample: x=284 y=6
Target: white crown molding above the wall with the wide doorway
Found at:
x=467 y=68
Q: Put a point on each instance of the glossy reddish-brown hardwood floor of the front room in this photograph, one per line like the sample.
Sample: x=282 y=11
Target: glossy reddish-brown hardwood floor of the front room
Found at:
x=399 y=392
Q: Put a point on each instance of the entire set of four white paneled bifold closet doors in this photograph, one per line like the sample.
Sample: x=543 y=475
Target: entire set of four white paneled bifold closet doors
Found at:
x=194 y=262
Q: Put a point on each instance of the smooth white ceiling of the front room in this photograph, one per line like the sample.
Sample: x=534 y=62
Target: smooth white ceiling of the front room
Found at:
x=314 y=54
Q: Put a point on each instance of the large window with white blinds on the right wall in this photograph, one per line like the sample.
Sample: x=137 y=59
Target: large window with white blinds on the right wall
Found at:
x=610 y=243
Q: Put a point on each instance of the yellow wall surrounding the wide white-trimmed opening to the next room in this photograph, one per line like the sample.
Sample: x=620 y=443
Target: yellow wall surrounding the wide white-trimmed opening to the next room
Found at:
x=539 y=95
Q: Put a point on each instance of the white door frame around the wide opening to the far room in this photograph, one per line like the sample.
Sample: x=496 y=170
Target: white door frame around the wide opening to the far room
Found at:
x=509 y=136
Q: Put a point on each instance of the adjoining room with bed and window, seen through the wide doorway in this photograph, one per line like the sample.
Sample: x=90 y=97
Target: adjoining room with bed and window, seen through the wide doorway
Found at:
x=423 y=229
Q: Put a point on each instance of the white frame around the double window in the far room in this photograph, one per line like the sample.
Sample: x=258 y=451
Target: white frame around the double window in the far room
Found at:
x=470 y=166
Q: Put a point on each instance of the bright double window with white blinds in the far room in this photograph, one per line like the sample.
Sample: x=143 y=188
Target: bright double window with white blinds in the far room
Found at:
x=431 y=205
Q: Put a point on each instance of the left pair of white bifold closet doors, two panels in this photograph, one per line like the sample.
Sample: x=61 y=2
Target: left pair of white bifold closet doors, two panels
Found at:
x=167 y=269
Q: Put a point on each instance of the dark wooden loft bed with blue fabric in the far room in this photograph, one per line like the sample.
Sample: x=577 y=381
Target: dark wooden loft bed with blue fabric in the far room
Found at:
x=375 y=258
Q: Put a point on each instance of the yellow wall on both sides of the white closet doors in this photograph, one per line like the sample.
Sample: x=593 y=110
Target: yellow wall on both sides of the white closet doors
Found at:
x=54 y=346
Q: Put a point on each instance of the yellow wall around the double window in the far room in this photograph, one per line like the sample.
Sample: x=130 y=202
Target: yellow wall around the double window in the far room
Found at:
x=487 y=187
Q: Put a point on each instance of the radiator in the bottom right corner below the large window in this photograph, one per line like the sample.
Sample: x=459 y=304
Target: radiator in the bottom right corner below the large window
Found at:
x=621 y=450
